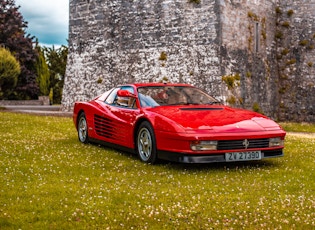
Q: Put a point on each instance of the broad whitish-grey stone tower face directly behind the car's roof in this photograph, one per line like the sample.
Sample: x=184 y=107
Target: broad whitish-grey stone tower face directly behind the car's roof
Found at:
x=120 y=41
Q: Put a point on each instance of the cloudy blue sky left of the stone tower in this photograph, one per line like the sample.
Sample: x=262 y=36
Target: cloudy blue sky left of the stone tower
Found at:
x=47 y=20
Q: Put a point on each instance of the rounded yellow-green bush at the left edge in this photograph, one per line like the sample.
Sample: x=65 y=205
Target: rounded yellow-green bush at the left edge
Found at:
x=9 y=71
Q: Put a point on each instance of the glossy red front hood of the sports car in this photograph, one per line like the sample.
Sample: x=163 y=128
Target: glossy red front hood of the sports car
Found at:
x=216 y=118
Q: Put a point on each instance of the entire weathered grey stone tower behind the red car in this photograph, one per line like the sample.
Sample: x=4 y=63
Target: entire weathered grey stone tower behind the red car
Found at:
x=253 y=54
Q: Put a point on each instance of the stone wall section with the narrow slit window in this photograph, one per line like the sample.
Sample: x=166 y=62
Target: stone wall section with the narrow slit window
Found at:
x=248 y=30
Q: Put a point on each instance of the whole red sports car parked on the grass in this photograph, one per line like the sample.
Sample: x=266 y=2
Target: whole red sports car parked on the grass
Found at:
x=176 y=122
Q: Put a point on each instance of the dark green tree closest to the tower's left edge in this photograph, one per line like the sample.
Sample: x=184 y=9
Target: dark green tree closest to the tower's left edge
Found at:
x=57 y=61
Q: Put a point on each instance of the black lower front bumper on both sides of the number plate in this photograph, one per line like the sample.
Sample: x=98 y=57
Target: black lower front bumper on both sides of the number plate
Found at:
x=213 y=158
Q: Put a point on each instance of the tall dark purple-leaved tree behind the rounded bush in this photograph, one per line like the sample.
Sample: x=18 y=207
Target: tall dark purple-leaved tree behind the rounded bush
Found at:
x=13 y=37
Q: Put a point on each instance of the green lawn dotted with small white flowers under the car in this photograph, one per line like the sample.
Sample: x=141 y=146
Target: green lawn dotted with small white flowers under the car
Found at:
x=48 y=180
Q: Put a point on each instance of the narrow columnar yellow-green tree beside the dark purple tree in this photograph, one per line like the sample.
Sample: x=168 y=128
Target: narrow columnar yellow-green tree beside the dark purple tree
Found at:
x=43 y=75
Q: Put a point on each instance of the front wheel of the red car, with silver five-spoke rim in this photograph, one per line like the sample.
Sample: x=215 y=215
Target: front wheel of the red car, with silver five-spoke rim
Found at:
x=145 y=143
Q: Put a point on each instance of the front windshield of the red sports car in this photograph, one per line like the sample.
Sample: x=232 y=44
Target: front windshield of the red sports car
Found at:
x=173 y=95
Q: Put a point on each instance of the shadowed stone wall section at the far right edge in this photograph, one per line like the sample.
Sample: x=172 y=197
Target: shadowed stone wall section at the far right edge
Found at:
x=296 y=60
